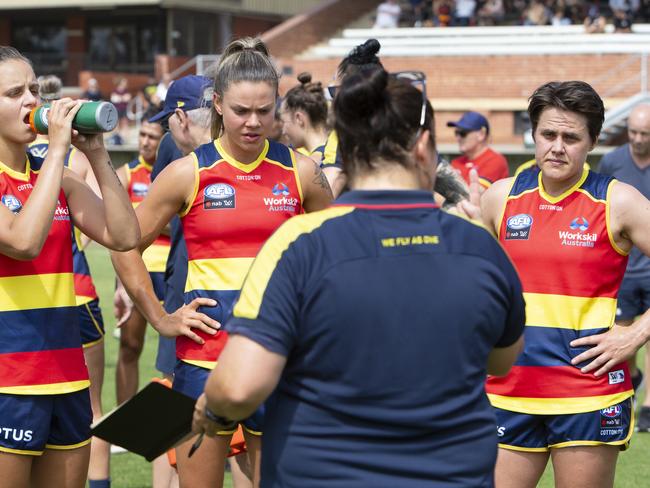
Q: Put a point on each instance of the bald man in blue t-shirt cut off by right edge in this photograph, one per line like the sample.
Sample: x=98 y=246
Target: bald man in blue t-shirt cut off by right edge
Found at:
x=630 y=164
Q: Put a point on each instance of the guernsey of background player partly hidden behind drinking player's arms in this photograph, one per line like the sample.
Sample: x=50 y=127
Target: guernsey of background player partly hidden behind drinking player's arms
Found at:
x=139 y=180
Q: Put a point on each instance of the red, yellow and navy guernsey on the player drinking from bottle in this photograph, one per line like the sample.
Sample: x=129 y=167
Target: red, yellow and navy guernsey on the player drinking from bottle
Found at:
x=40 y=343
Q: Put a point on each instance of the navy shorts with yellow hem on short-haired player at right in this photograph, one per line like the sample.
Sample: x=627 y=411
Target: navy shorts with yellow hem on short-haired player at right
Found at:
x=538 y=433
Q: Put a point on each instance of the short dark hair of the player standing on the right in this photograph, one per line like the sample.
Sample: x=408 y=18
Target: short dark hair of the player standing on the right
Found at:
x=572 y=96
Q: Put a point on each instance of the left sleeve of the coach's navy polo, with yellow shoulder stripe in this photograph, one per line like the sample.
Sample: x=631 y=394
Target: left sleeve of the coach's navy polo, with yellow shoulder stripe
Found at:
x=267 y=311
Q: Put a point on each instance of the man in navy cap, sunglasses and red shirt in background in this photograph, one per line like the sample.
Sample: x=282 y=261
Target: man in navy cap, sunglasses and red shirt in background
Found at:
x=472 y=133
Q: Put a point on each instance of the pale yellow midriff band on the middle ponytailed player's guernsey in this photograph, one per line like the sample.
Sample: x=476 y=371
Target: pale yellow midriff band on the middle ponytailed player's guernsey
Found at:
x=217 y=274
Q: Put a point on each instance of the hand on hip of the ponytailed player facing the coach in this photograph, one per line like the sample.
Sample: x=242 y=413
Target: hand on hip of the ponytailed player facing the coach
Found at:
x=187 y=317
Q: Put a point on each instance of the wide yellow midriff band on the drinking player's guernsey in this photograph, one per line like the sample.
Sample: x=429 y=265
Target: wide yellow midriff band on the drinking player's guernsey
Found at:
x=37 y=291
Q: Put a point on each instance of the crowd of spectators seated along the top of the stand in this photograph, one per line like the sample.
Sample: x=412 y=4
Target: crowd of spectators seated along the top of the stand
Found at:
x=459 y=13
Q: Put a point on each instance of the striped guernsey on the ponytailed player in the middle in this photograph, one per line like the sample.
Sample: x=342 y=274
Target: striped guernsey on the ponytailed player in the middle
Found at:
x=235 y=209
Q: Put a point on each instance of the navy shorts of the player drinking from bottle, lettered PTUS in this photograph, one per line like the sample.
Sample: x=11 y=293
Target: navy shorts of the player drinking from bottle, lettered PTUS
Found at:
x=32 y=423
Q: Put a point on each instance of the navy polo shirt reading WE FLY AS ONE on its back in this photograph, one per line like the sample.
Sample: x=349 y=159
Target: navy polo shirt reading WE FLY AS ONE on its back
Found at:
x=386 y=309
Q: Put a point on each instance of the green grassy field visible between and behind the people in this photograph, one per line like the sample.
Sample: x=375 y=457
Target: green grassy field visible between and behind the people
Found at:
x=132 y=471
